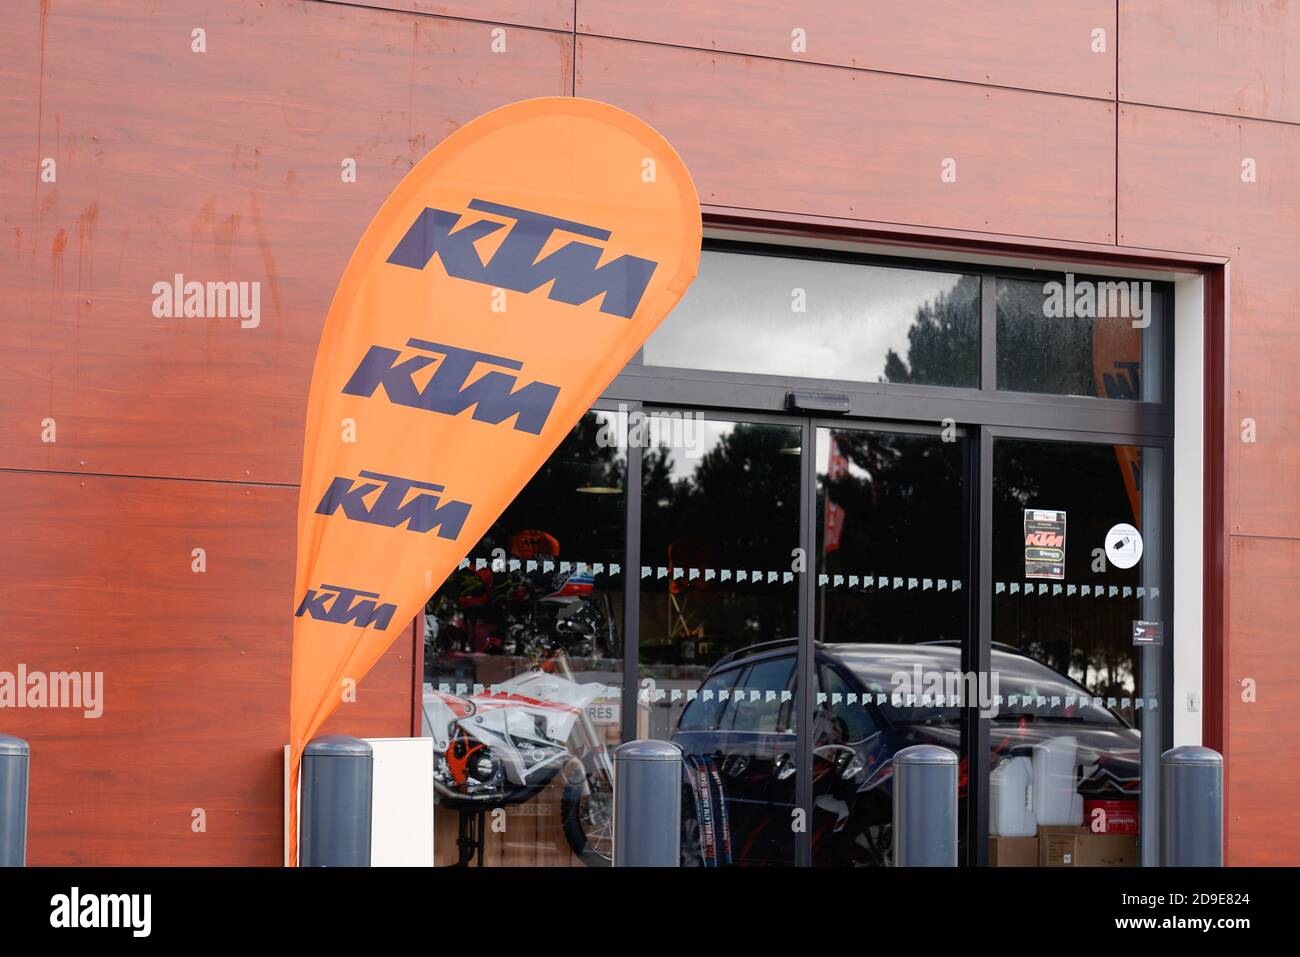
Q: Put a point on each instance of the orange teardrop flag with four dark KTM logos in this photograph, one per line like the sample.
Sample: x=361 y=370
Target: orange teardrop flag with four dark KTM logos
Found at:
x=499 y=291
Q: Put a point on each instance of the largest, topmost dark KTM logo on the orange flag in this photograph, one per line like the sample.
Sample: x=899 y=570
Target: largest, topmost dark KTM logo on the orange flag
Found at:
x=515 y=266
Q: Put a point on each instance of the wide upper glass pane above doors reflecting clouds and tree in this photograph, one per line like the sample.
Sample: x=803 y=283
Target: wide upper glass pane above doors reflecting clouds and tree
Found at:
x=820 y=319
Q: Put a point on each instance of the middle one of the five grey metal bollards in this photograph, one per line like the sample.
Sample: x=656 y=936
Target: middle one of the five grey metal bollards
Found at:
x=648 y=806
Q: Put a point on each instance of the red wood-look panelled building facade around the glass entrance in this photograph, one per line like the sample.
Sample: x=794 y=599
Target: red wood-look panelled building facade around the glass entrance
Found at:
x=150 y=464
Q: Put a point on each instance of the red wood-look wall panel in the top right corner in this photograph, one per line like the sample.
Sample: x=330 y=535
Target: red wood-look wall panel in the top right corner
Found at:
x=1230 y=57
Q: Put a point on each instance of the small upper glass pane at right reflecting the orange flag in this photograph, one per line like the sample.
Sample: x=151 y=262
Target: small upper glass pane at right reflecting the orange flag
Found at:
x=1080 y=336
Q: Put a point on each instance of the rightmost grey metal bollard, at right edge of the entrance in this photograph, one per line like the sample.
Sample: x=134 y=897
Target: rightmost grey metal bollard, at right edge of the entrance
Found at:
x=1191 y=815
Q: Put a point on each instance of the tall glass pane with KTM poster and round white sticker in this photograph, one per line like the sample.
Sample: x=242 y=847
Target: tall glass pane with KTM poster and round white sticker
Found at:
x=1081 y=701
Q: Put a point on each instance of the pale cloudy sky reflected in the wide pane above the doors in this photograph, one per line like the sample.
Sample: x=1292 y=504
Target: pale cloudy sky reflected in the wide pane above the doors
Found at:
x=738 y=317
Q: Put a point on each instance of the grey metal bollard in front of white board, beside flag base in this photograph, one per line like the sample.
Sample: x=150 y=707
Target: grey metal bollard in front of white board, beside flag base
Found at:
x=337 y=793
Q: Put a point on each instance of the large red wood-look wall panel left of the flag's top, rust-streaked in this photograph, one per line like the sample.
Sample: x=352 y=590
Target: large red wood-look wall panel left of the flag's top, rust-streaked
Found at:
x=218 y=166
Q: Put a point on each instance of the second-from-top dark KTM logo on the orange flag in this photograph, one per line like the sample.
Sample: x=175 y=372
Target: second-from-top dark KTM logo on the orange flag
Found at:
x=492 y=396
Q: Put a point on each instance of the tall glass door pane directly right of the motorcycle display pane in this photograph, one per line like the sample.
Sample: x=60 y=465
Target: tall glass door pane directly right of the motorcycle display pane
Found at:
x=720 y=620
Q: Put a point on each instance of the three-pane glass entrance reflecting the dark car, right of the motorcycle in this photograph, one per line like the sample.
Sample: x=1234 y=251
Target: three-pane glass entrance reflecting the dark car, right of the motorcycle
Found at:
x=1056 y=705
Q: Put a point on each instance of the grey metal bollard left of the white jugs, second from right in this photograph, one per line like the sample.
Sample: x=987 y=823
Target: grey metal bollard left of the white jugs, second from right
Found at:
x=925 y=828
